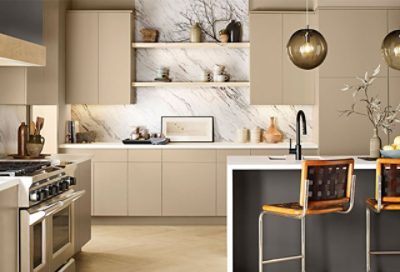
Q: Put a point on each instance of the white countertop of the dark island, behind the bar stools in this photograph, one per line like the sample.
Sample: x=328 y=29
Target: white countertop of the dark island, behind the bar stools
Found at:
x=265 y=163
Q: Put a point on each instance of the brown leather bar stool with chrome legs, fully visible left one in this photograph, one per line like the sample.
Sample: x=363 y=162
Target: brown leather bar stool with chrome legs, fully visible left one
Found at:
x=326 y=187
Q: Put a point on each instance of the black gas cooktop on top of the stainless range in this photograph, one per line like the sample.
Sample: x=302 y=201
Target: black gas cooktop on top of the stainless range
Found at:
x=22 y=168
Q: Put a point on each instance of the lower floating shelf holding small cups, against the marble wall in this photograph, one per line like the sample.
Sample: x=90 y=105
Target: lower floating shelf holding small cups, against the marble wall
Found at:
x=192 y=84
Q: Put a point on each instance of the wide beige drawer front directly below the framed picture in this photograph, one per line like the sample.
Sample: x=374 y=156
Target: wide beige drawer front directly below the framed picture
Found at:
x=205 y=155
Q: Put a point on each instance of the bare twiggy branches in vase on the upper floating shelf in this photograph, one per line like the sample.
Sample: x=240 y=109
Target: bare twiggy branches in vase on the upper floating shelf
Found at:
x=204 y=13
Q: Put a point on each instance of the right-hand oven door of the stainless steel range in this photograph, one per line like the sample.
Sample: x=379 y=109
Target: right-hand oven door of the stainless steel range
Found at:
x=60 y=224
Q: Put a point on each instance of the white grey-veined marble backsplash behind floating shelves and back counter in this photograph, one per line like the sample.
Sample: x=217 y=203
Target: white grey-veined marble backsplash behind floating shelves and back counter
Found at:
x=230 y=106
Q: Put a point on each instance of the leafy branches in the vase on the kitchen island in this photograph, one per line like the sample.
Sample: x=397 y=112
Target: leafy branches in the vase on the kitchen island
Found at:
x=381 y=117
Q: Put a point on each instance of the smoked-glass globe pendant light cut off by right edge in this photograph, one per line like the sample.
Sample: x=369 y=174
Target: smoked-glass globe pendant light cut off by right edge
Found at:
x=391 y=49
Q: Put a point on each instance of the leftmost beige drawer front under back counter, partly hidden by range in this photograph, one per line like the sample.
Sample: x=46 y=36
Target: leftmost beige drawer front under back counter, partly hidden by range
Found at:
x=101 y=155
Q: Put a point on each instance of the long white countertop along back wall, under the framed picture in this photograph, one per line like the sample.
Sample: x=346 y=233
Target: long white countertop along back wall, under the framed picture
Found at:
x=216 y=145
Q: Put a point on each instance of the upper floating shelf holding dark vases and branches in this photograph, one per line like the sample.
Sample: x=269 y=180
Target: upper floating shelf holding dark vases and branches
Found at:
x=164 y=45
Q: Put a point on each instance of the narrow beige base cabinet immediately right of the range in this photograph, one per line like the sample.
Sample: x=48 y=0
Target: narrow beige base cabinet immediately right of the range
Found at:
x=83 y=206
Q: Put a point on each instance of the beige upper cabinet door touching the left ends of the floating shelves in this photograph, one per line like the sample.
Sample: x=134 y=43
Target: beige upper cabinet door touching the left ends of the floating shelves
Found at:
x=115 y=58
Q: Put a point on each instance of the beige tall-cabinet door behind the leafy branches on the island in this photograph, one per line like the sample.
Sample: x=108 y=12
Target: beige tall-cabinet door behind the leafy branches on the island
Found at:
x=345 y=135
